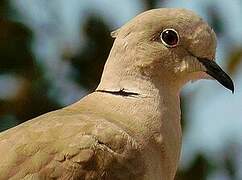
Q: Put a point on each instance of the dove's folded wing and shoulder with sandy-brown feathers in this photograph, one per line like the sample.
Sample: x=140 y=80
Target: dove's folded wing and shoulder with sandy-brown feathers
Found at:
x=66 y=144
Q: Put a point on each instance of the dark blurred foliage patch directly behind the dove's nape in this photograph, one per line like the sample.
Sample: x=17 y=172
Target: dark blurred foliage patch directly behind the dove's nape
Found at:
x=89 y=63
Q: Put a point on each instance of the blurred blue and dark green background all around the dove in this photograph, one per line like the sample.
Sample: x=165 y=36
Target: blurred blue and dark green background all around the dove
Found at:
x=52 y=53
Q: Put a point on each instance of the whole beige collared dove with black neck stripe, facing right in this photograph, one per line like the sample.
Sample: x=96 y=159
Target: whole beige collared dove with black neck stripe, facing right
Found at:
x=129 y=128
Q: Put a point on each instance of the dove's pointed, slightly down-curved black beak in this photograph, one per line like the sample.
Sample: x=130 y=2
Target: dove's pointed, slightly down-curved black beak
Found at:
x=213 y=69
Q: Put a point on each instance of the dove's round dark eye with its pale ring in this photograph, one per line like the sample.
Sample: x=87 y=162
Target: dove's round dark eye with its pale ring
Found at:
x=169 y=37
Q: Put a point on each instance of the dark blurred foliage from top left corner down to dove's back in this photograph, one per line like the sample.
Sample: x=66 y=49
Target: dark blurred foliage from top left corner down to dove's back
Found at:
x=18 y=60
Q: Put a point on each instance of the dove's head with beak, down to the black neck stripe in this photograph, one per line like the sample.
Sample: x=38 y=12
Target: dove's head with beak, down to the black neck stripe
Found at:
x=162 y=48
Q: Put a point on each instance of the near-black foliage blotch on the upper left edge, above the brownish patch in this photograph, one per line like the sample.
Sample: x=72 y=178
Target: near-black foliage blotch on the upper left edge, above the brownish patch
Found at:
x=15 y=53
